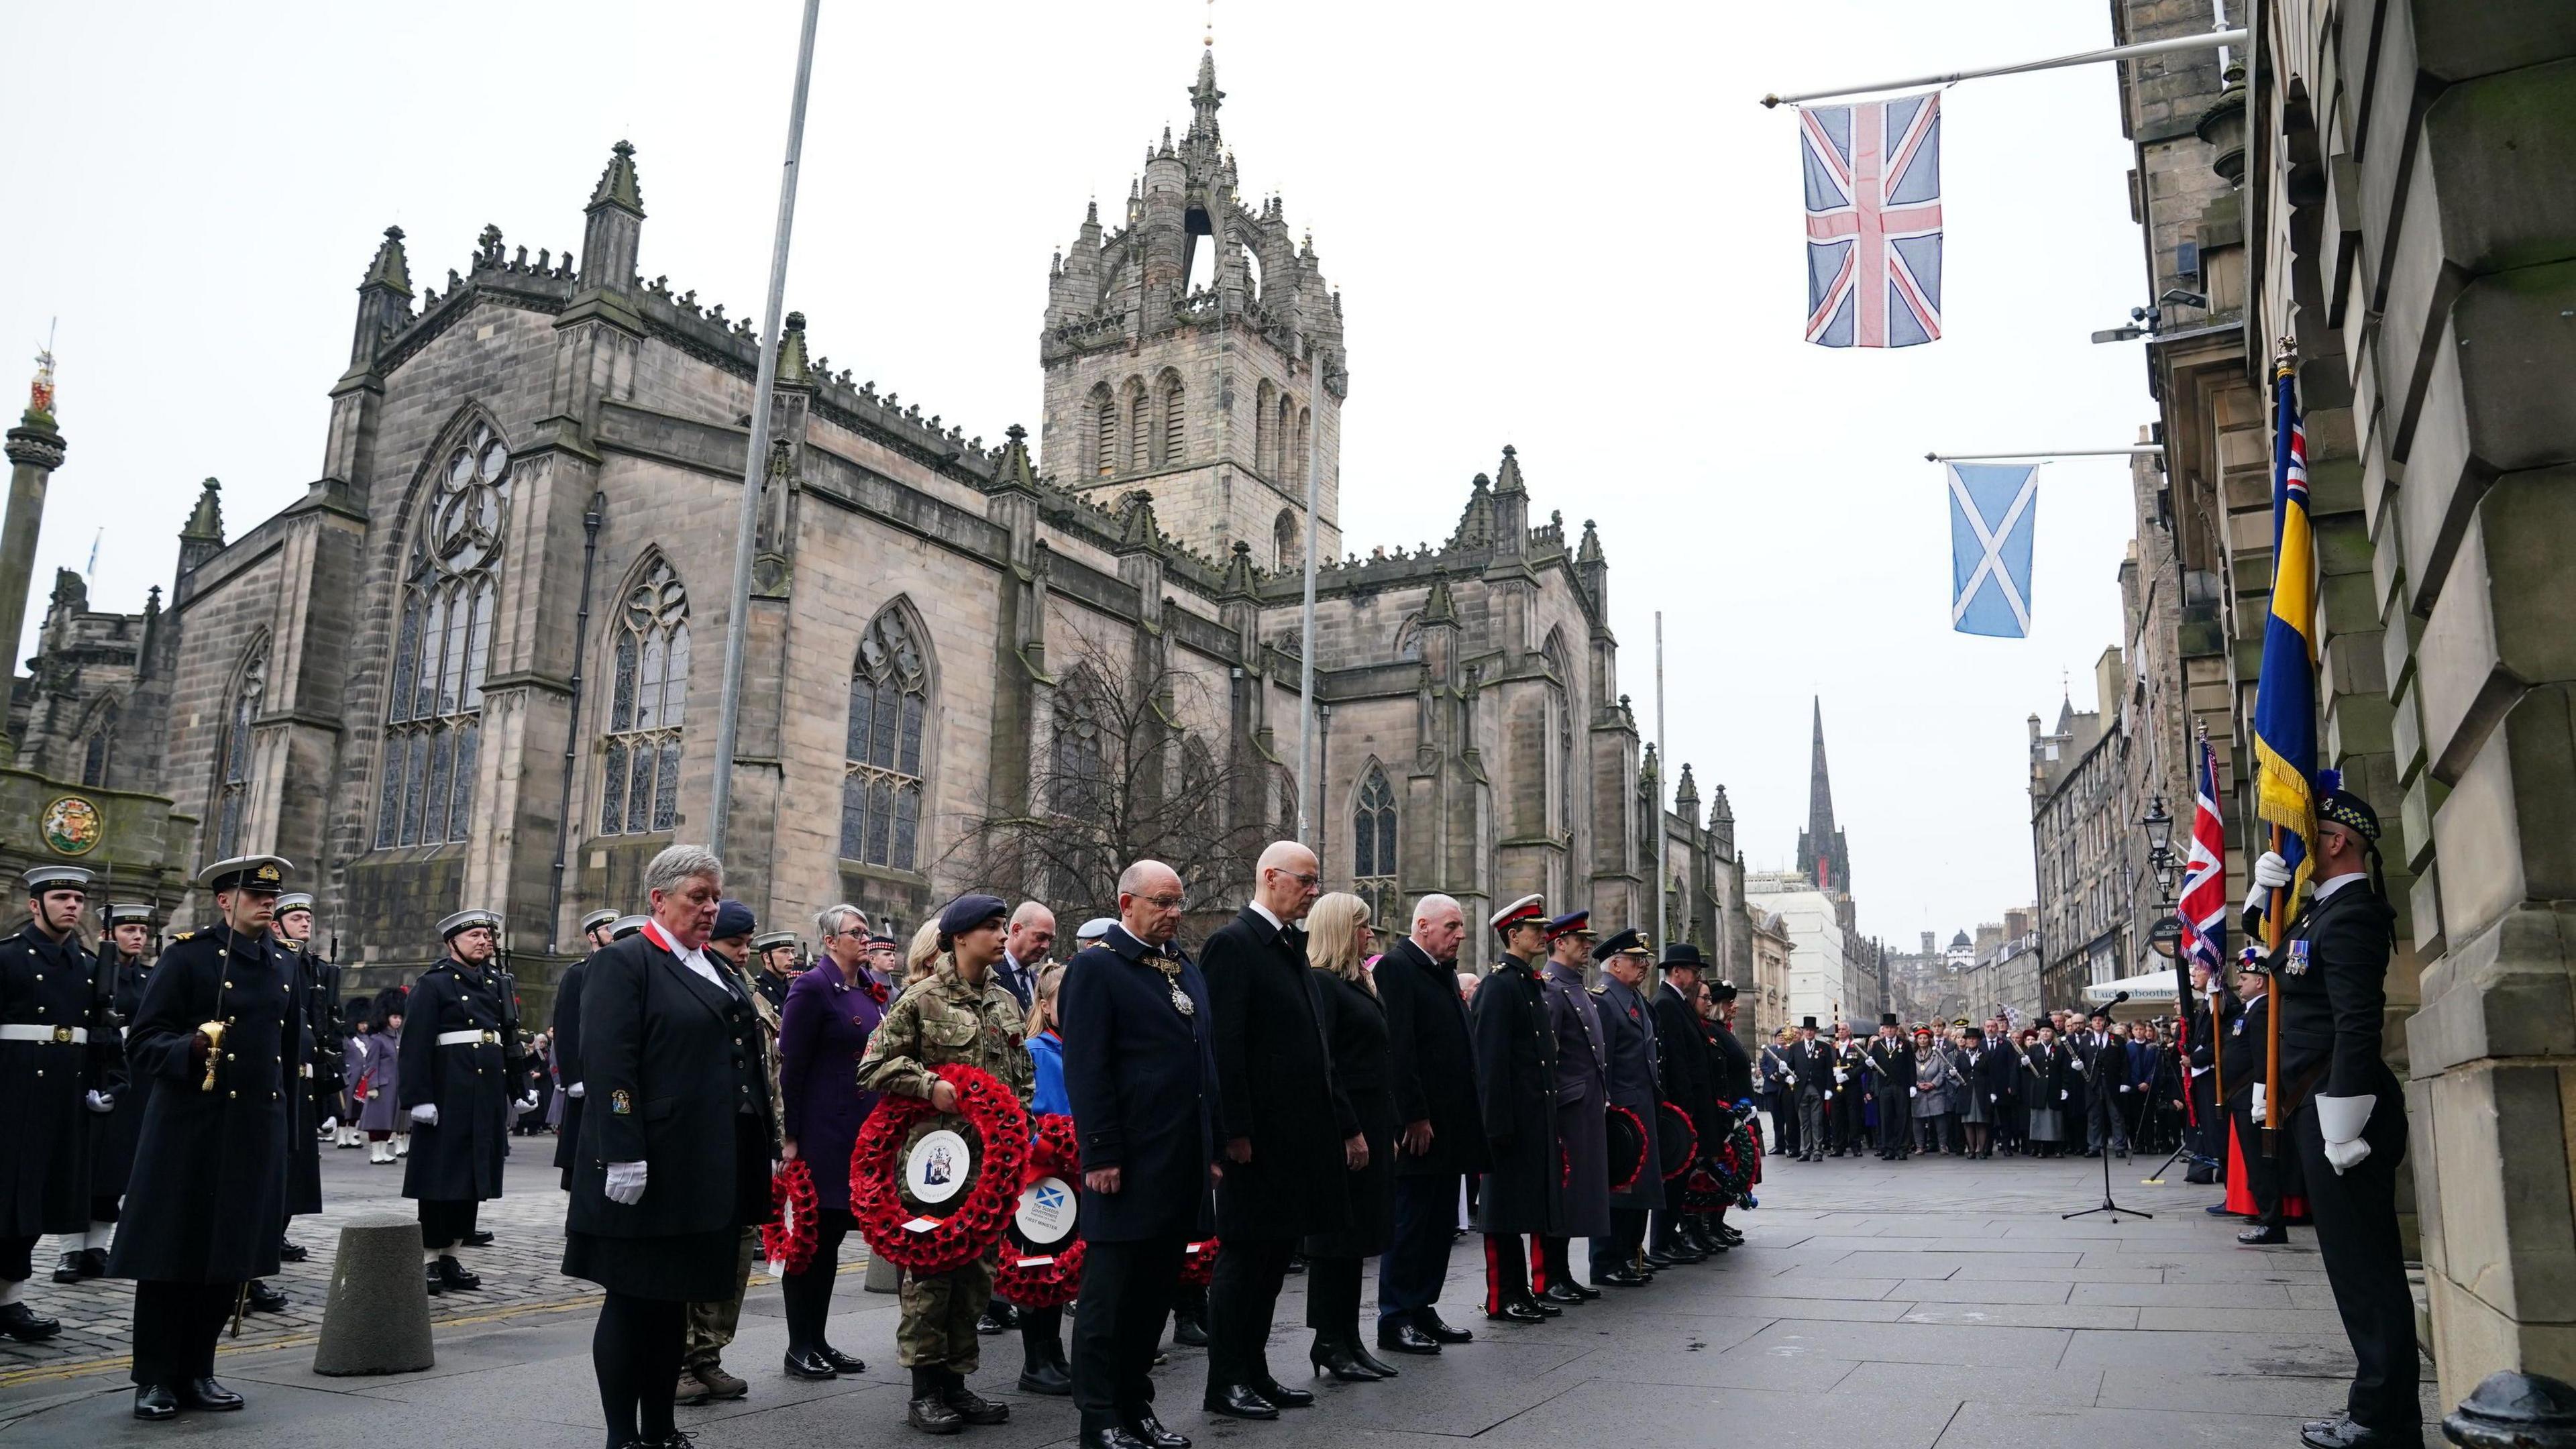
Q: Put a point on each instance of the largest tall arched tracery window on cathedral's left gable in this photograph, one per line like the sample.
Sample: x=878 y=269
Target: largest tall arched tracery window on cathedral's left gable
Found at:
x=444 y=643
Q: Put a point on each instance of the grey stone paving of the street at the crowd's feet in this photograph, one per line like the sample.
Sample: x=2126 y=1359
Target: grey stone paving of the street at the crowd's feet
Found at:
x=1877 y=1306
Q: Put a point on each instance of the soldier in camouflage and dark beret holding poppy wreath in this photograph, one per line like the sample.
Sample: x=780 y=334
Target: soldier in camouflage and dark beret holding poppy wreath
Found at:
x=962 y=1015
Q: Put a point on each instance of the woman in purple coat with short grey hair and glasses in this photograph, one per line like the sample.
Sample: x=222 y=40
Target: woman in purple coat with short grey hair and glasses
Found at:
x=820 y=1038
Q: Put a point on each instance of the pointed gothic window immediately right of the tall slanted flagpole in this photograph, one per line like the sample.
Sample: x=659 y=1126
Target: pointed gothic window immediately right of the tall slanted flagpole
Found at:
x=882 y=780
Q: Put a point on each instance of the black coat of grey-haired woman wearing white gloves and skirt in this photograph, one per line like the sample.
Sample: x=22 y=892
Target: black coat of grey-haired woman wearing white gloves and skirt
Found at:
x=658 y=1074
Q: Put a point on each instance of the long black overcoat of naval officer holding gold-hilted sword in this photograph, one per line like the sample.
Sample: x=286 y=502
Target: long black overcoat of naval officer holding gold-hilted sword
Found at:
x=210 y=1172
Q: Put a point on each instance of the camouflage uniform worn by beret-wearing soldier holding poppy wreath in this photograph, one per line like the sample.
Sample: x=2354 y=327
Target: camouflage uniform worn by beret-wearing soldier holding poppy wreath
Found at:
x=934 y=1025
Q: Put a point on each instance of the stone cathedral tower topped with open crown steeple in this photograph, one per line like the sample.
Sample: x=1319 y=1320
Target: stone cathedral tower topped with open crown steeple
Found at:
x=1199 y=352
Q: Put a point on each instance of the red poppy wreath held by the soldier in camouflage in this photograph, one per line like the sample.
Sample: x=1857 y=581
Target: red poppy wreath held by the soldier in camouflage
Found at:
x=905 y=1234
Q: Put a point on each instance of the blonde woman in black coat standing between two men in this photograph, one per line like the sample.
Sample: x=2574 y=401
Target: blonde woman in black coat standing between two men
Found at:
x=1338 y=945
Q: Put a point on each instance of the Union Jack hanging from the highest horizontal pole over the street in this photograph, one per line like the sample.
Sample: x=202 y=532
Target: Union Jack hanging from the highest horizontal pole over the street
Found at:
x=1871 y=223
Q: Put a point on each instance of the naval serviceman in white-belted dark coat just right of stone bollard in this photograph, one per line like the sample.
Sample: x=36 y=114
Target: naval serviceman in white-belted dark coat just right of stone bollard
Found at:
x=460 y=1056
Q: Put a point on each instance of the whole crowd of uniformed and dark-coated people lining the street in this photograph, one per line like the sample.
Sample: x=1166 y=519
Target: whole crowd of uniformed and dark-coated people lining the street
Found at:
x=1310 y=1092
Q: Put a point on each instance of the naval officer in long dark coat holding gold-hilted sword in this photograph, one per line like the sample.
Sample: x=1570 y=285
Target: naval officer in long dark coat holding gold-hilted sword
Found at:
x=218 y=1035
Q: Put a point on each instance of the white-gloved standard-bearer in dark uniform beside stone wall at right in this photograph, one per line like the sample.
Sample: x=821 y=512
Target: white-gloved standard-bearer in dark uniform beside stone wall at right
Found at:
x=2348 y=1115
